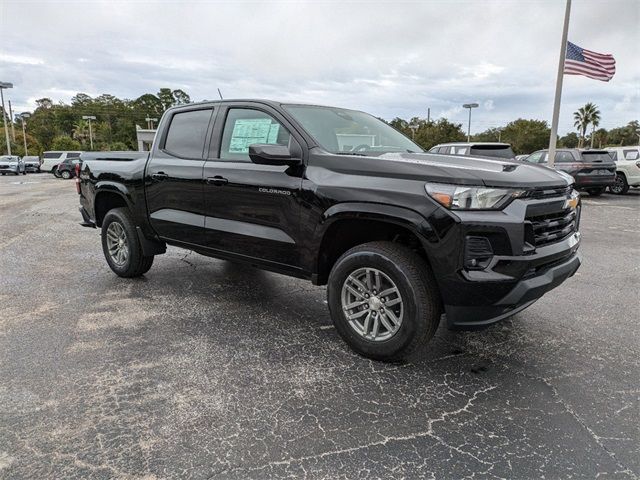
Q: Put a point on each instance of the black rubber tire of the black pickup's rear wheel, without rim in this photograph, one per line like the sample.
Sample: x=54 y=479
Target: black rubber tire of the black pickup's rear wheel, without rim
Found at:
x=136 y=263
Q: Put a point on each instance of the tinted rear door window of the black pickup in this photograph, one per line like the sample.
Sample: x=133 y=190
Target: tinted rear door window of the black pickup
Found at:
x=187 y=133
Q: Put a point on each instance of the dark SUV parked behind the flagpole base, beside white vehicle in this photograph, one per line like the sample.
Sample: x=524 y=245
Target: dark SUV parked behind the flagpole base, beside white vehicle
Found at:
x=592 y=170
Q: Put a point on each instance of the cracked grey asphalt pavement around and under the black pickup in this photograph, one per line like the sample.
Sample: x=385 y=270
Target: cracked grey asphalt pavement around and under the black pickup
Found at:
x=208 y=369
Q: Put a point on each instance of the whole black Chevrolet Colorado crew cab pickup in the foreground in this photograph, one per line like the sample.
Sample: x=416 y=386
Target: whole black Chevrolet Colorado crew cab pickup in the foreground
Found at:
x=339 y=197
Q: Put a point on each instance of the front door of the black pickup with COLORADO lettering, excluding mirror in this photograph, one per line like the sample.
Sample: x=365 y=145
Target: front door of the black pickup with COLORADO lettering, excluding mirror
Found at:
x=252 y=211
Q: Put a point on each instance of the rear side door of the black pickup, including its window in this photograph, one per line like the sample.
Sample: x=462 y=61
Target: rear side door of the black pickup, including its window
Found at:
x=173 y=178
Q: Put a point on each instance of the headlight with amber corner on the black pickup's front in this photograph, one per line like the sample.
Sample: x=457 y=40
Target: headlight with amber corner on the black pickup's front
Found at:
x=462 y=197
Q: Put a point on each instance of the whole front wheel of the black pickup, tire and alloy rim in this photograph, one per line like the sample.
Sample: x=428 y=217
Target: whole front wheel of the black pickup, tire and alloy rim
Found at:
x=383 y=300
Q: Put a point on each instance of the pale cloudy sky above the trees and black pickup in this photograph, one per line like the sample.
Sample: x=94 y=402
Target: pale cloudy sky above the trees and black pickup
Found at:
x=393 y=58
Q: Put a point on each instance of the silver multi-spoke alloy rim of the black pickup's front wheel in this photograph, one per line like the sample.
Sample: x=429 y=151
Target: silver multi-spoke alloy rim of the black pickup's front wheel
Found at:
x=372 y=304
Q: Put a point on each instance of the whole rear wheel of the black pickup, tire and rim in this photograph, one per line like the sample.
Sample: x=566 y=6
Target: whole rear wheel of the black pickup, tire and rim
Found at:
x=121 y=245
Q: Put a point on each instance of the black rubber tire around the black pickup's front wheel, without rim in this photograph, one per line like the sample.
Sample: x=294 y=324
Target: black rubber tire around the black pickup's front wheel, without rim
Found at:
x=422 y=305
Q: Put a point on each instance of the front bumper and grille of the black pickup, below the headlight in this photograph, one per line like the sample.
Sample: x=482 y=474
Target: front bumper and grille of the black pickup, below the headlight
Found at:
x=490 y=265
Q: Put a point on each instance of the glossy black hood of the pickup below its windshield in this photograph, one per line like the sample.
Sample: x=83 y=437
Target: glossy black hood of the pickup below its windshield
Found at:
x=463 y=170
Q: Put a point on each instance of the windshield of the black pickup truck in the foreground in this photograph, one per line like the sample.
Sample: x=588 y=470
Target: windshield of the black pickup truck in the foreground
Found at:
x=350 y=132
